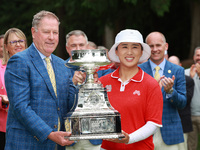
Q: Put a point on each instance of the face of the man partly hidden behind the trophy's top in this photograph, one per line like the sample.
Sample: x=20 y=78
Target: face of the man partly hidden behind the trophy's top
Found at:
x=76 y=43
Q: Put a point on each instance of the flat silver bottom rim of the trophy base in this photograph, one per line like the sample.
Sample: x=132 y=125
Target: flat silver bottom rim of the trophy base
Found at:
x=95 y=136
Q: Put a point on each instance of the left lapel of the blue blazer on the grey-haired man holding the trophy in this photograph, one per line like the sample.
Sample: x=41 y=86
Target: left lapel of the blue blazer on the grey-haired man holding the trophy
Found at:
x=39 y=65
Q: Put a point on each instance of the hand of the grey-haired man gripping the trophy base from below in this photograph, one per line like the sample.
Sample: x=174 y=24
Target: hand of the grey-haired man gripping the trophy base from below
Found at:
x=59 y=138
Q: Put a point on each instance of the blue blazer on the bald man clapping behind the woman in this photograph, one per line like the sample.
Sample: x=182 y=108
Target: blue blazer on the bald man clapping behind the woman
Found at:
x=172 y=132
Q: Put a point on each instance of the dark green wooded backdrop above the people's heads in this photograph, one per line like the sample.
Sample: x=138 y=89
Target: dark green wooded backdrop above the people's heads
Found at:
x=102 y=19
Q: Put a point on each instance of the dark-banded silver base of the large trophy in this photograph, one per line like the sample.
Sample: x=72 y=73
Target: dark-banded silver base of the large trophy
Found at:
x=94 y=124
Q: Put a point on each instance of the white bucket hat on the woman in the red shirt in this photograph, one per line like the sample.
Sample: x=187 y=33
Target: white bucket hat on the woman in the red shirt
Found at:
x=133 y=36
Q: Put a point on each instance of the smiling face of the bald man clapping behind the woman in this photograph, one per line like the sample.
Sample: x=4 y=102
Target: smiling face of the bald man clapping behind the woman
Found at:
x=158 y=47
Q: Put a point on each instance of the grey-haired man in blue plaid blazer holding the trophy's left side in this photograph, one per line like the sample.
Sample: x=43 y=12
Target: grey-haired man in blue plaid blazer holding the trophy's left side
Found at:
x=36 y=113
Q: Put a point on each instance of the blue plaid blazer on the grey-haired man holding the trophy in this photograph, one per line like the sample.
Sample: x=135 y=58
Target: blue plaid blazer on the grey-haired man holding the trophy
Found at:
x=34 y=108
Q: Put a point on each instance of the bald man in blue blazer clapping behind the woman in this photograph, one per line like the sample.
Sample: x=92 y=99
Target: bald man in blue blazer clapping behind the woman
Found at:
x=173 y=88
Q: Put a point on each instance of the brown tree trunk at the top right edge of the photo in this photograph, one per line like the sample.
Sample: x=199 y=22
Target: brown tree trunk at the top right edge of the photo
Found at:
x=195 y=24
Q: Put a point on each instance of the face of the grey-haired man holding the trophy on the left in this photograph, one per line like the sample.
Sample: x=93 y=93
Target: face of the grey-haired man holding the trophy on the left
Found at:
x=47 y=37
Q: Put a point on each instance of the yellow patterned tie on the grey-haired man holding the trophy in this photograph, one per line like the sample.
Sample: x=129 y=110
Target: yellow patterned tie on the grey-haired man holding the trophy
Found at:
x=51 y=74
